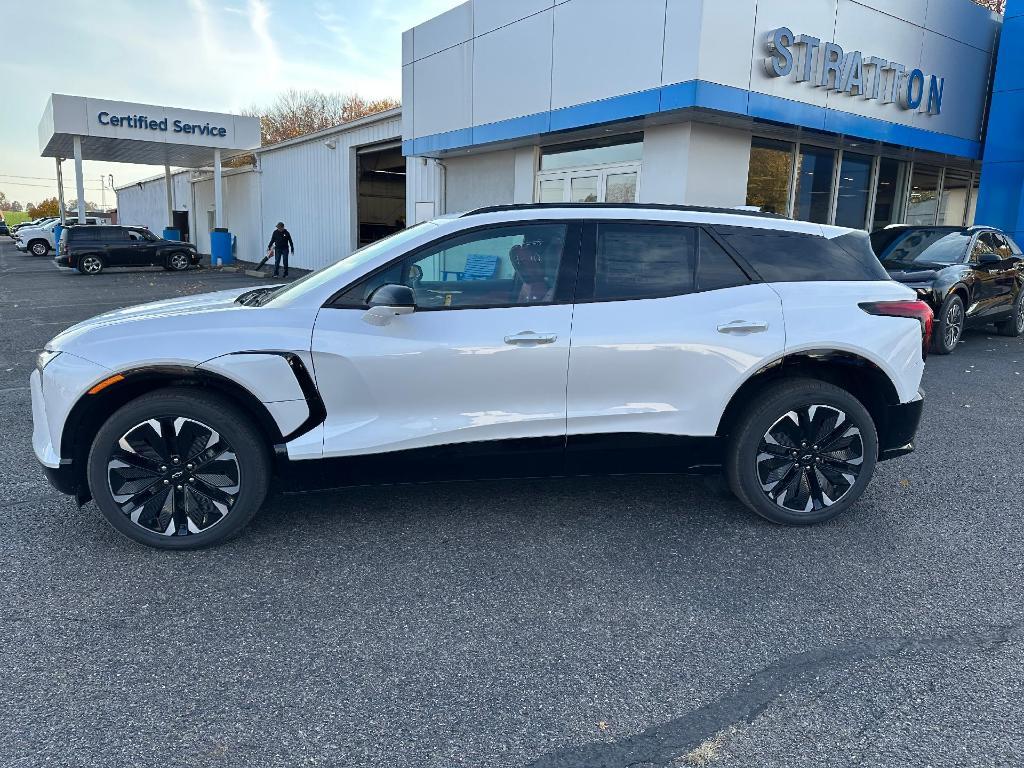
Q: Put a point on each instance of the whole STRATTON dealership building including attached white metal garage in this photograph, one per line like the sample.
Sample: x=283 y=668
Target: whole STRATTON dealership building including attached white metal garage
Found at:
x=859 y=113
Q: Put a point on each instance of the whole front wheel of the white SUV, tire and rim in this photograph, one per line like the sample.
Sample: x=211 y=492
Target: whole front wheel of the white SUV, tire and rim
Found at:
x=154 y=490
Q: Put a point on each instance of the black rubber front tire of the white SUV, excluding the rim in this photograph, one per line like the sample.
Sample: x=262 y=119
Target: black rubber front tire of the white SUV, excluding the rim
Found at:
x=216 y=412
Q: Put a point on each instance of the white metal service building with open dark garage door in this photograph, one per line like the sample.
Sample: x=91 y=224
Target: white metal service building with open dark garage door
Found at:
x=335 y=191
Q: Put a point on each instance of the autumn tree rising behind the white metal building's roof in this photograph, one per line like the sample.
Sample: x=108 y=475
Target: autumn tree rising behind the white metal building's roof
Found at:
x=296 y=113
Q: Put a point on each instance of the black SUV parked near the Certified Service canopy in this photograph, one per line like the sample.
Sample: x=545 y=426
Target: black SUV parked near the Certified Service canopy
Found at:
x=93 y=249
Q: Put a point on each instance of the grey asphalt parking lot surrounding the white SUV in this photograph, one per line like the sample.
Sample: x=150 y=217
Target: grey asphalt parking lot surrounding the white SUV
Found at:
x=576 y=623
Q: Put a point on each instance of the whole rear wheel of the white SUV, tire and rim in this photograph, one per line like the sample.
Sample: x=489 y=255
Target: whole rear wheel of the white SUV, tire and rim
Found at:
x=817 y=485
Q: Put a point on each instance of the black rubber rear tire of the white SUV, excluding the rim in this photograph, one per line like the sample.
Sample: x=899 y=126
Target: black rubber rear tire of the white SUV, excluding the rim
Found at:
x=775 y=404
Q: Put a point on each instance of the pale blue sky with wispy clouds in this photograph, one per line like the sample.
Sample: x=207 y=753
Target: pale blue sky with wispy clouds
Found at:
x=217 y=56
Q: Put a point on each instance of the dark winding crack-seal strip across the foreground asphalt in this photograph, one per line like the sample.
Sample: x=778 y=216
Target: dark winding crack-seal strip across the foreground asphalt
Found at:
x=663 y=745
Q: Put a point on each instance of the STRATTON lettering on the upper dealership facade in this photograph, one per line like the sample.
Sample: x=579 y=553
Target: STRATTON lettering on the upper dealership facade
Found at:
x=827 y=66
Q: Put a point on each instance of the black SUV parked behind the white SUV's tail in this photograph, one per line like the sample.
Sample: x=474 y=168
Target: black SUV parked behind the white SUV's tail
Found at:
x=971 y=277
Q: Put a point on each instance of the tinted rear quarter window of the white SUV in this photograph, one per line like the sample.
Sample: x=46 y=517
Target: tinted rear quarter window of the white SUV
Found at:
x=781 y=257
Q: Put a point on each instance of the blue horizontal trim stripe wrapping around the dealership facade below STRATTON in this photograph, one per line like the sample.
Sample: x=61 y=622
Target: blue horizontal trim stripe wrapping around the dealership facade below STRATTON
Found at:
x=704 y=95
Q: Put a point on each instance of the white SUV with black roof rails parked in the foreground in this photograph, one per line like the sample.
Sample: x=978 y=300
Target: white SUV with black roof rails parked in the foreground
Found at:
x=510 y=342
